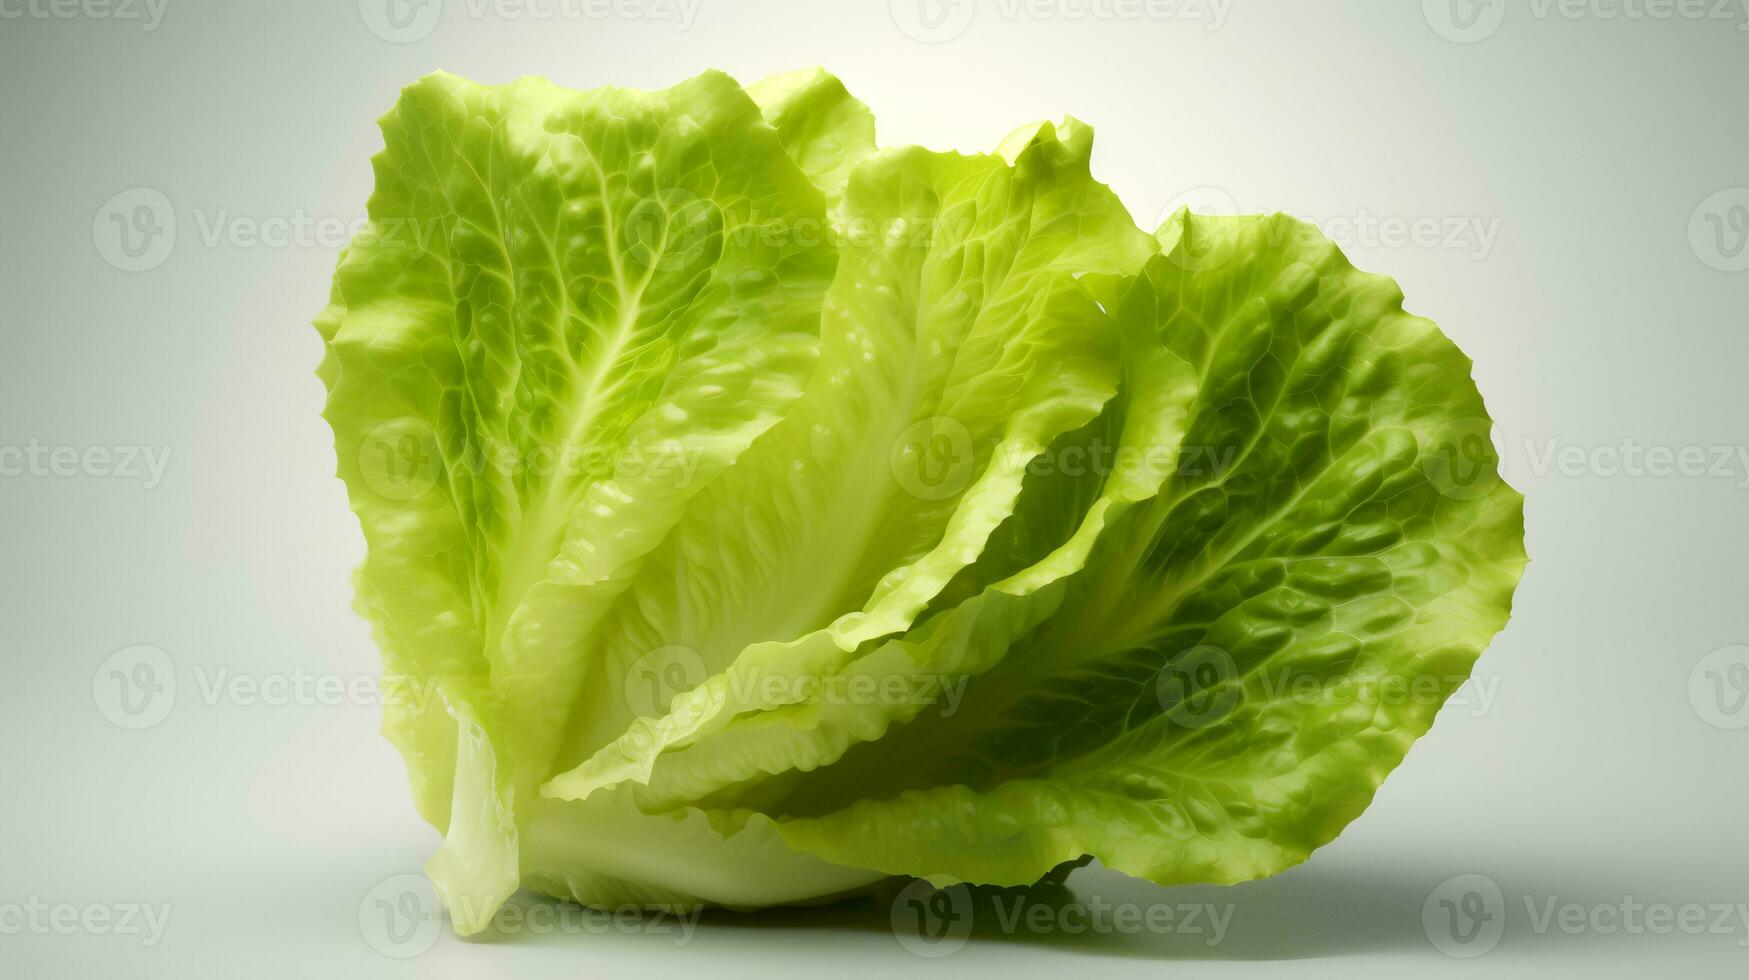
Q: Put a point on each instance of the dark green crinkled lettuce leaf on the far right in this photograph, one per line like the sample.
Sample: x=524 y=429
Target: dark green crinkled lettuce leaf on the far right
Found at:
x=1229 y=683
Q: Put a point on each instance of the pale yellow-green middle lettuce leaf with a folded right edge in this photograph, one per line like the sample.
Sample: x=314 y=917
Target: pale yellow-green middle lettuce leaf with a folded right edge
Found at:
x=954 y=323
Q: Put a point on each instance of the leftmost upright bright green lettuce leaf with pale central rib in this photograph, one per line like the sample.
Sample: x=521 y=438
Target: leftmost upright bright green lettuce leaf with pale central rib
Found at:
x=571 y=311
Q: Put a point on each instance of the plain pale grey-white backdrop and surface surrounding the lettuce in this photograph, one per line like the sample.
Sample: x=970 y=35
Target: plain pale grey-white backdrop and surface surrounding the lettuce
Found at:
x=1585 y=167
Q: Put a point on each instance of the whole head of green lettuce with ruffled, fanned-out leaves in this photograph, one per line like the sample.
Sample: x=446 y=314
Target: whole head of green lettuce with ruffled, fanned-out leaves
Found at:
x=770 y=515
